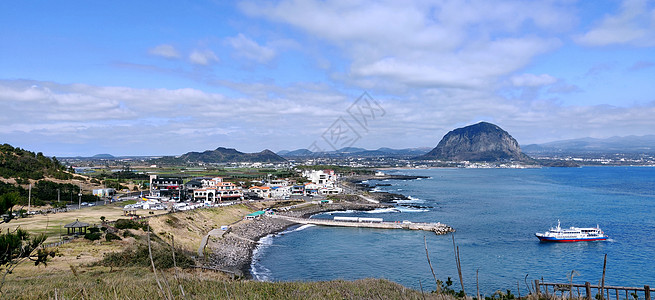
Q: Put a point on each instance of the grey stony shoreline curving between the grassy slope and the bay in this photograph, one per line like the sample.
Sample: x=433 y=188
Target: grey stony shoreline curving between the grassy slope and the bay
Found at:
x=233 y=252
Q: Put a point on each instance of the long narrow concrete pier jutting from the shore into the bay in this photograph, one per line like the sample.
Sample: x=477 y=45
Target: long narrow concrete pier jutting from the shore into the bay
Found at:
x=437 y=228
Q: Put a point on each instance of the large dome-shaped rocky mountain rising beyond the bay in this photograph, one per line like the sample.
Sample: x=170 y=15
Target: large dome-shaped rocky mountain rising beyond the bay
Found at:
x=479 y=142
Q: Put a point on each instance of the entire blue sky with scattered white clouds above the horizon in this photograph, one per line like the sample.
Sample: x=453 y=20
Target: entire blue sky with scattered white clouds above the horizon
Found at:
x=168 y=77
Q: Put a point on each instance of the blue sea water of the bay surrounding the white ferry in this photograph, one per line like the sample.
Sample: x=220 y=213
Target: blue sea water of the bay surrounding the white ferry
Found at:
x=496 y=213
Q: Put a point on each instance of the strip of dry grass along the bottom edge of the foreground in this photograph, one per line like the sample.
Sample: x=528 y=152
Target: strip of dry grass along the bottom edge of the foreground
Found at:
x=139 y=283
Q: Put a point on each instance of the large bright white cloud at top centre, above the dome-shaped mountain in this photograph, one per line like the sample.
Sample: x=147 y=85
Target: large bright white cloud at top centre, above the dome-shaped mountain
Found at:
x=421 y=44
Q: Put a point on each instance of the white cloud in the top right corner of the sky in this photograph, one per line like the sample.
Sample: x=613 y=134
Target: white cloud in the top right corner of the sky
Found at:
x=633 y=25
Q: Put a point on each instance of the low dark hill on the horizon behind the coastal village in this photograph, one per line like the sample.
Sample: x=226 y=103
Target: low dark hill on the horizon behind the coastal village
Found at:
x=227 y=155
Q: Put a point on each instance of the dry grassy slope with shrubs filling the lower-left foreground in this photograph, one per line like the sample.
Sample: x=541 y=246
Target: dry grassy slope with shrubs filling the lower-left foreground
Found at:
x=120 y=268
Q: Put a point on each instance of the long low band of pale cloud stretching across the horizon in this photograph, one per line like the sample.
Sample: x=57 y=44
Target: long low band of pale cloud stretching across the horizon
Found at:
x=173 y=121
